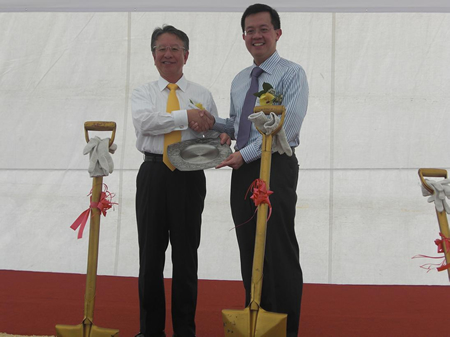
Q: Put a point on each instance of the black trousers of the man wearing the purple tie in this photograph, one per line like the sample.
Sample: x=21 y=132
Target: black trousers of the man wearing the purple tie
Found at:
x=283 y=279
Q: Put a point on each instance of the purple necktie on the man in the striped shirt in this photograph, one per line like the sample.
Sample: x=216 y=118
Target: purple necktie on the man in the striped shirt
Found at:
x=249 y=103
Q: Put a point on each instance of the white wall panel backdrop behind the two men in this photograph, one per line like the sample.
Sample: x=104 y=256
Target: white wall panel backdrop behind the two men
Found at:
x=378 y=111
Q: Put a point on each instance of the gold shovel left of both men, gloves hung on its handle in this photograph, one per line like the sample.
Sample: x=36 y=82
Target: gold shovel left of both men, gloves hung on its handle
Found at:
x=87 y=327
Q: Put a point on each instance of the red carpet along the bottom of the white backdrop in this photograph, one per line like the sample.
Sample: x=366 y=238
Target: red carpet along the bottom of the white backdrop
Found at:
x=33 y=303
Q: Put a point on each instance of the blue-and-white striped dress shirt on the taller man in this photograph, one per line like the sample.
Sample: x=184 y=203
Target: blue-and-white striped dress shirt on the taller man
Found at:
x=287 y=78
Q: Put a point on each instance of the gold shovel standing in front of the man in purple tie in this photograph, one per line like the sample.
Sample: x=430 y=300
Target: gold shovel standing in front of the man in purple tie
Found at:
x=254 y=321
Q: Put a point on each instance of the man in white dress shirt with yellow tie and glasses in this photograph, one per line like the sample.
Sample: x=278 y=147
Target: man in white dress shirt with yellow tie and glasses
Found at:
x=169 y=202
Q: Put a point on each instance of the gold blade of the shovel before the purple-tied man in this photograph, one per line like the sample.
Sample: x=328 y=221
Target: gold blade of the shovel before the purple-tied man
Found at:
x=237 y=323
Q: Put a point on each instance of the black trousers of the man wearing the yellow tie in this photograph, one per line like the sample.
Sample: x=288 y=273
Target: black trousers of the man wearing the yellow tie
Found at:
x=169 y=206
